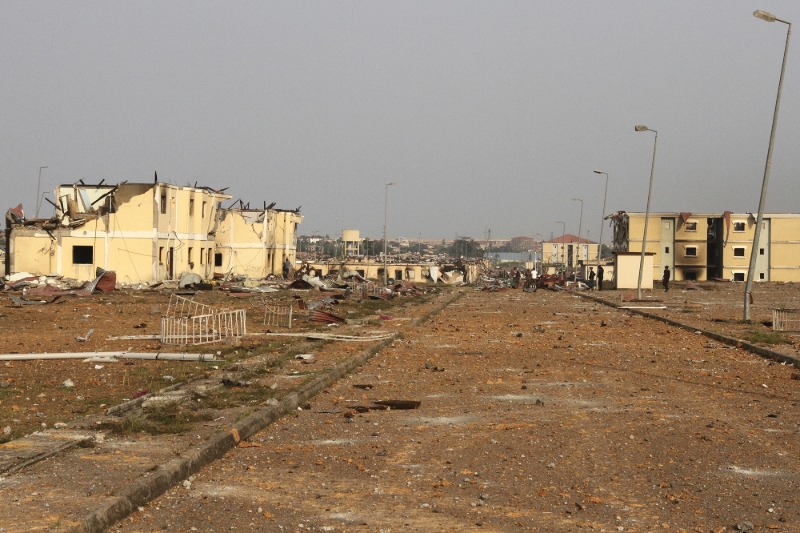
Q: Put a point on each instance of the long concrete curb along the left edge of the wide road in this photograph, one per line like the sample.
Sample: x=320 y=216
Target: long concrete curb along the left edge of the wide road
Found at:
x=150 y=487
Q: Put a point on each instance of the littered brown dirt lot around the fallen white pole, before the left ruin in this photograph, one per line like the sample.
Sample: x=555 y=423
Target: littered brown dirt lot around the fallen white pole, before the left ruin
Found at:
x=32 y=395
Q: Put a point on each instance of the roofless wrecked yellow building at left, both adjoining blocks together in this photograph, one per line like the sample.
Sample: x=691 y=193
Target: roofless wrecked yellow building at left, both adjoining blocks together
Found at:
x=145 y=233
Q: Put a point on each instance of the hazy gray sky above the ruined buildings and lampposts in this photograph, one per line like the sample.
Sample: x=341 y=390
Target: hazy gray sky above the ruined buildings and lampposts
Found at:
x=487 y=114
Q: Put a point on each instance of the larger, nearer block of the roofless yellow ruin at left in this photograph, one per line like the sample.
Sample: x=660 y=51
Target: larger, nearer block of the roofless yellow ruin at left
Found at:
x=137 y=235
